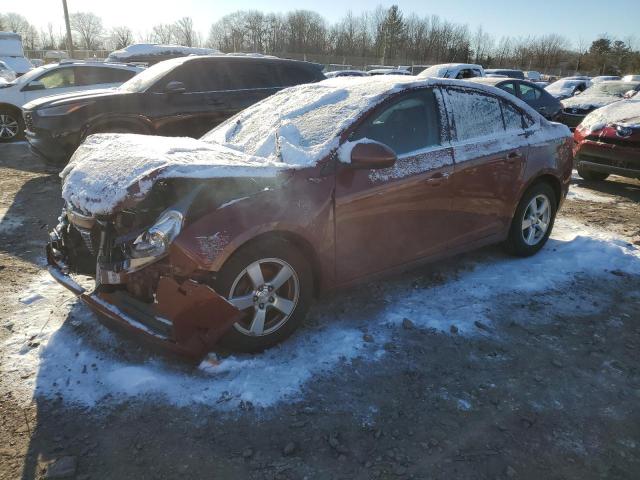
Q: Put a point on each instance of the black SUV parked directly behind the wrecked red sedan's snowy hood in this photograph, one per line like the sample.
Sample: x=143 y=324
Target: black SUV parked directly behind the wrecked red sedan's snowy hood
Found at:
x=185 y=96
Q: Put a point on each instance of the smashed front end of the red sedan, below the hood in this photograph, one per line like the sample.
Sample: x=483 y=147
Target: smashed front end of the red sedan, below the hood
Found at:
x=143 y=284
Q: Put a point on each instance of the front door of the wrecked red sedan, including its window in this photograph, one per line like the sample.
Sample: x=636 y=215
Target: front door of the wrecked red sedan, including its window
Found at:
x=388 y=217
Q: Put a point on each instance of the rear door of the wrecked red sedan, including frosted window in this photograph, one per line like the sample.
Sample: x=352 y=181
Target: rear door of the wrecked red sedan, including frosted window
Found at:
x=490 y=150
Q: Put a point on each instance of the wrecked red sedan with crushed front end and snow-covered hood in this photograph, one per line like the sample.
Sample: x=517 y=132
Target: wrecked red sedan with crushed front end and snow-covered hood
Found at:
x=229 y=238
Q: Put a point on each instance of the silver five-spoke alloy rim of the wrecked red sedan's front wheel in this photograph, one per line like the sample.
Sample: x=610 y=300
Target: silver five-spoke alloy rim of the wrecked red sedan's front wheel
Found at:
x=267 y=291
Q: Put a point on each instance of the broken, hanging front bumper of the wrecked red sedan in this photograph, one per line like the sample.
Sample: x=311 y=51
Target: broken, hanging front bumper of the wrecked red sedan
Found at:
x=187 y=319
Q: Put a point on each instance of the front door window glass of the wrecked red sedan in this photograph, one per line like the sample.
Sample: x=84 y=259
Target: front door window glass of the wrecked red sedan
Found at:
x=410 y=123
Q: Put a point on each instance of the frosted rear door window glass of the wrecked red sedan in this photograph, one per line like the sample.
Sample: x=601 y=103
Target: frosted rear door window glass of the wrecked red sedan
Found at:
x=474 y=114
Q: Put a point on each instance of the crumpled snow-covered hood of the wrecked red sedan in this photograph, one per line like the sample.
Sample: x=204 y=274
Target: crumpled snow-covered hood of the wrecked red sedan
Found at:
x=109 y=172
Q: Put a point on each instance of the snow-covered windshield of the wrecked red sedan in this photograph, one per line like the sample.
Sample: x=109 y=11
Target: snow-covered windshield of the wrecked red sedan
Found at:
x=302 y=124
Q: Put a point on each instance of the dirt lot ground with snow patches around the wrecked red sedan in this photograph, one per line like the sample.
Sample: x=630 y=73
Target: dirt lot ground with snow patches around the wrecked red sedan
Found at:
x=478 y=367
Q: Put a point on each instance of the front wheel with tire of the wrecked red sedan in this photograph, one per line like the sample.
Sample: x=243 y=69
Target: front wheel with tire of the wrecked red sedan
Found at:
x=271 y=283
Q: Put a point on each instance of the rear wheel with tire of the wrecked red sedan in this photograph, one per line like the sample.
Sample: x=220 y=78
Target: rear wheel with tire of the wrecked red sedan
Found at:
x=533 y=221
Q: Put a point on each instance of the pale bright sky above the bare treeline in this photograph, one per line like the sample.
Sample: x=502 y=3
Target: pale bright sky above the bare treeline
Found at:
x=575 y=19
